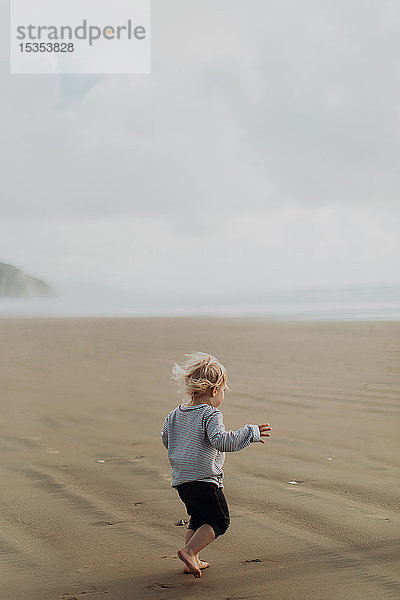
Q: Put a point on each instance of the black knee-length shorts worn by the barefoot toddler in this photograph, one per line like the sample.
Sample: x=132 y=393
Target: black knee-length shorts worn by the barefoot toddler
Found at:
x=206 y=504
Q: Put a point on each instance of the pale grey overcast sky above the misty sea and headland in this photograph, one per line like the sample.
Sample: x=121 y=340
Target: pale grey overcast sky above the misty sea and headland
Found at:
x=262 y=152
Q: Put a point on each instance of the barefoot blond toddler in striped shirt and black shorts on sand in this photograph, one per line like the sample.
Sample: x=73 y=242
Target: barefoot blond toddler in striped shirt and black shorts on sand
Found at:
x=195 y=437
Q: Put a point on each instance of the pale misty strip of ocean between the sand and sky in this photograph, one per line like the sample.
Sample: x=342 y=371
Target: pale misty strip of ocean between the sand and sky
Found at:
x=363 y=303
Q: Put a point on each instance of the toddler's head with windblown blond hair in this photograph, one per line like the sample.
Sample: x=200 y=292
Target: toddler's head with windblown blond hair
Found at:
x=199 y=374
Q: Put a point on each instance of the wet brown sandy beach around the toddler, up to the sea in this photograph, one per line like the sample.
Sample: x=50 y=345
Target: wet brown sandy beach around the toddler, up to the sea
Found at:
x=86 y=503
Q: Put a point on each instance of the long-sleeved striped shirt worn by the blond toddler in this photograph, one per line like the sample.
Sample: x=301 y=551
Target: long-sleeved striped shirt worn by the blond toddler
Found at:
x=196 y=440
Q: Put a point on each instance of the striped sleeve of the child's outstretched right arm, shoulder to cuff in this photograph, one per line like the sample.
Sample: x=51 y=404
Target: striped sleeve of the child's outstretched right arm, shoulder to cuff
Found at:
x=229 y=441
